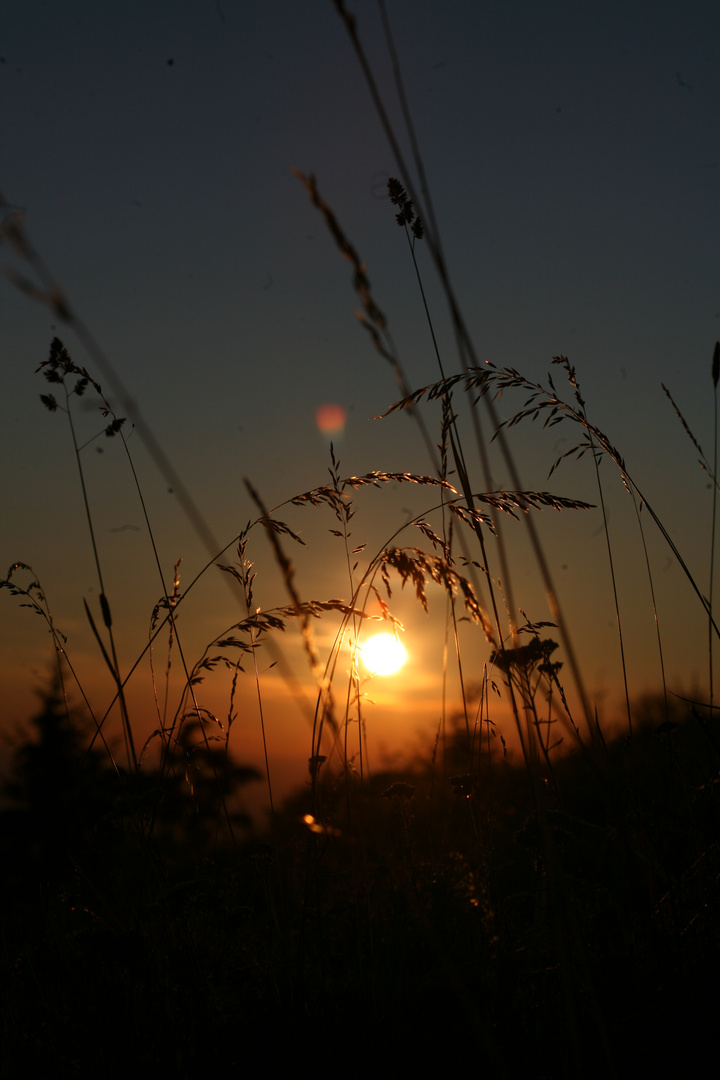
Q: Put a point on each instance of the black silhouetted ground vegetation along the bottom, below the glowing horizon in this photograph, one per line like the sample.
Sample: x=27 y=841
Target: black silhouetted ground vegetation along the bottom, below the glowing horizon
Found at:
x=450 y=914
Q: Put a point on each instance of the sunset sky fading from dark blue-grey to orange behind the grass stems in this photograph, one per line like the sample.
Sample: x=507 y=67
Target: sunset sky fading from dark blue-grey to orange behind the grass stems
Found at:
x=573 y=156
